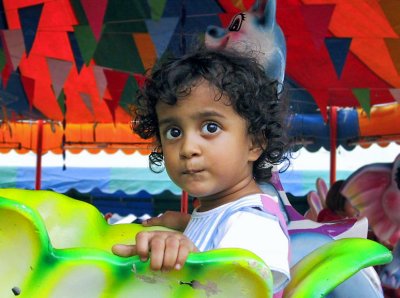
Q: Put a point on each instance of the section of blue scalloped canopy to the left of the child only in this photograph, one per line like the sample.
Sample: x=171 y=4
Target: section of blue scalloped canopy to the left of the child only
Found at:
x=110 y=181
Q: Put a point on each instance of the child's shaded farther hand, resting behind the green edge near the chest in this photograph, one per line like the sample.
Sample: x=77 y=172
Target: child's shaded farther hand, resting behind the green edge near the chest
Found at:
x=170 y=219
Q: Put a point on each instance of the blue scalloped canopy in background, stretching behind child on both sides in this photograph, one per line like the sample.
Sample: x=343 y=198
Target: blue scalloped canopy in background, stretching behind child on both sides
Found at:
x=115 y=182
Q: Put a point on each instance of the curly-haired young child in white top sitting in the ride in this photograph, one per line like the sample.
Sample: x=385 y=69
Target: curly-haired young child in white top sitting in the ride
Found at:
x=219 y=126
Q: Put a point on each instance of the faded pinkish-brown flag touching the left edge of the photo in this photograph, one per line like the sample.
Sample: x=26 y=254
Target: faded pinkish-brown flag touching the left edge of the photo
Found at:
x=14 y=46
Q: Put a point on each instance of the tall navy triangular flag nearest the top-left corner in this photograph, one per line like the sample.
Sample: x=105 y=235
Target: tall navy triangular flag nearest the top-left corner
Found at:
x=29 y=19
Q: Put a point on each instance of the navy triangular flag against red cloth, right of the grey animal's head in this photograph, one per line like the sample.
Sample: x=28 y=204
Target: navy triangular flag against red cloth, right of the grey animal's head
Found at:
x=338 y=49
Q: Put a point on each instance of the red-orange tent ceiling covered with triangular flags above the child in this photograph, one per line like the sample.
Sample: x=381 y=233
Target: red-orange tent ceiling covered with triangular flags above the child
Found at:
x=83 y=60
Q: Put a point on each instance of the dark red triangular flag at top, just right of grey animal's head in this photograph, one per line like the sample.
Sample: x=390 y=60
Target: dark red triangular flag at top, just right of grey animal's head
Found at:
x=317 y=19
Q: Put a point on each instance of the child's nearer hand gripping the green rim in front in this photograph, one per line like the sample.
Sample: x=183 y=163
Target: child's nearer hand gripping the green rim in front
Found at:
x=166 y=250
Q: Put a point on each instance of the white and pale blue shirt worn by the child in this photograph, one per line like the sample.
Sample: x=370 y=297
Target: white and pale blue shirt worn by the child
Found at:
x=243 y=224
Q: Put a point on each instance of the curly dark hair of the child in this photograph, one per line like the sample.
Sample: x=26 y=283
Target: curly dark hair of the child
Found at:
x=239 y=77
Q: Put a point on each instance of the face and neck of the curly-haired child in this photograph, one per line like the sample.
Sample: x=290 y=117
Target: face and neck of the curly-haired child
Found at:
x=207 y=150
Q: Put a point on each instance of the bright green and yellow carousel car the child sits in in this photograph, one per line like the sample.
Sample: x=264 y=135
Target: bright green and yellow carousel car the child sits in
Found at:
x=55 y=246
